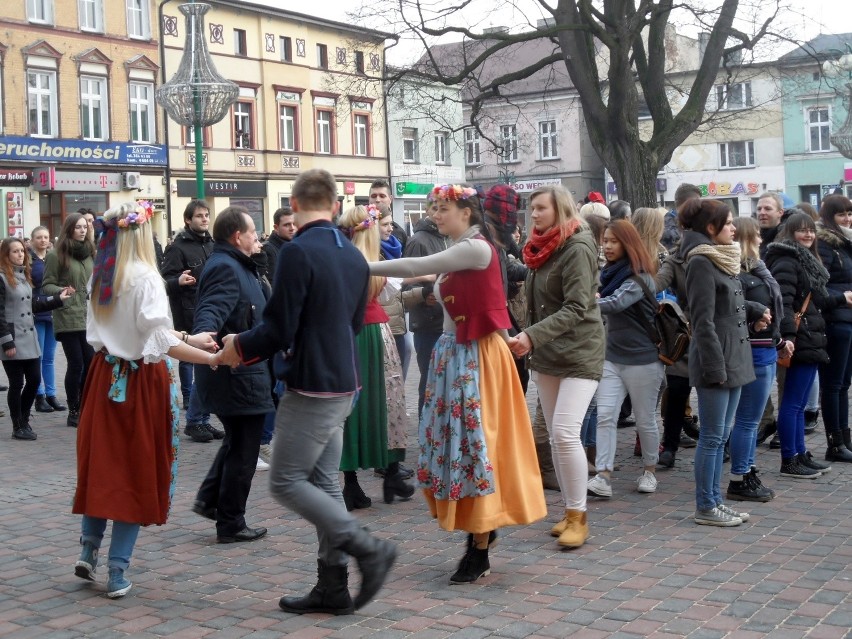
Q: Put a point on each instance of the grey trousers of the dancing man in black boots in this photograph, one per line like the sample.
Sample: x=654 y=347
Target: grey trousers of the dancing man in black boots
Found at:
x=304 y=470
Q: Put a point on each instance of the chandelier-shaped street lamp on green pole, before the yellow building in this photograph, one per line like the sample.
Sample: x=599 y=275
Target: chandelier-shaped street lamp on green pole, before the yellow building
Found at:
x=197 y=95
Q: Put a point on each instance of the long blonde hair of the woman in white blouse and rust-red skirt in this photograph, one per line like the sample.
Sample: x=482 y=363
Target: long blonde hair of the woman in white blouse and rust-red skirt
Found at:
x=134 y=245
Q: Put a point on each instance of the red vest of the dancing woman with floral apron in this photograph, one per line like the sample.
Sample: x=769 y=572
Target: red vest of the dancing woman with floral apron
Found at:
x=475 y=300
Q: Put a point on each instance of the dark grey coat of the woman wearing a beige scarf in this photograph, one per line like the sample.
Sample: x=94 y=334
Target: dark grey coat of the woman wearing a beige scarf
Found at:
x=719 y=352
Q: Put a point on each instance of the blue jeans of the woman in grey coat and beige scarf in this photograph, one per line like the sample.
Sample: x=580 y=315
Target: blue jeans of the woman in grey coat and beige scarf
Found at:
x=716 y=409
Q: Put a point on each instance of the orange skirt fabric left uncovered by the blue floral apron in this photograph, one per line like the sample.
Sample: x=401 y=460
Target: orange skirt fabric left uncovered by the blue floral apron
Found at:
x=518 y=497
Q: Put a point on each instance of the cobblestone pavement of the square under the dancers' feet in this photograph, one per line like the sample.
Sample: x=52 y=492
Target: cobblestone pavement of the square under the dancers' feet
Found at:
x=647 y=570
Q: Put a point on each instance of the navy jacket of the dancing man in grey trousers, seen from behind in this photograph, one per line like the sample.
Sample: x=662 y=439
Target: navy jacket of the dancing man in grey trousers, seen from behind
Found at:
x=317 y=306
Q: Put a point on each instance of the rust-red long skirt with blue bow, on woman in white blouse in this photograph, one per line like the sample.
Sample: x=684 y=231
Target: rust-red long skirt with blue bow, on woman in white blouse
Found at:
x=127 y=450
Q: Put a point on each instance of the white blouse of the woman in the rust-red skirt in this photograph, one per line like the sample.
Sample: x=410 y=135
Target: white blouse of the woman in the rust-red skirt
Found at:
x=140 y=324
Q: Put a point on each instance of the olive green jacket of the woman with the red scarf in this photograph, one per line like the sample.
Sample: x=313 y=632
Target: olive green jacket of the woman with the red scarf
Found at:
x=565 y=325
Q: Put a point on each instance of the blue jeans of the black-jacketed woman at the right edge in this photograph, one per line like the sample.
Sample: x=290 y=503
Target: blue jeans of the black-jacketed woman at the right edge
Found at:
x=835 y=377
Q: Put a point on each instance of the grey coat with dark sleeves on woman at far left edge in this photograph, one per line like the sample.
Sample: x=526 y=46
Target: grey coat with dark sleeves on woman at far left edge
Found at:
x=18 y=328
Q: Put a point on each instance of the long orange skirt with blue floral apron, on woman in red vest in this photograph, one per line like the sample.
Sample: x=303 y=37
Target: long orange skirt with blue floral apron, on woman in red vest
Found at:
x=477 y=465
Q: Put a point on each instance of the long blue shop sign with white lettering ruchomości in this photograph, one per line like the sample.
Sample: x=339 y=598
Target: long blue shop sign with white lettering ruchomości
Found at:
x=81 y=152
